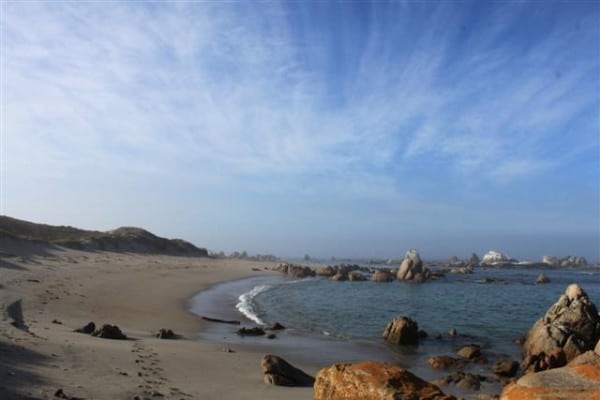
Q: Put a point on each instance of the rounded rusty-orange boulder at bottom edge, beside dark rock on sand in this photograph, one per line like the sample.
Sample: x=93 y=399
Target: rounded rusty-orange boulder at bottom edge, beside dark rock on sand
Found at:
x=370 y=380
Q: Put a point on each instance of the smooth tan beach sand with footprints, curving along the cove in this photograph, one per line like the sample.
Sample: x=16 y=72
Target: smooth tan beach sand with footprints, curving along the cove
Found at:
x=56 y=290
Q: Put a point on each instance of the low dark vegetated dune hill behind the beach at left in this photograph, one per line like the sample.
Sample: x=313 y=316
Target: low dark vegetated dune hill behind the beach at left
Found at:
x=126 y=239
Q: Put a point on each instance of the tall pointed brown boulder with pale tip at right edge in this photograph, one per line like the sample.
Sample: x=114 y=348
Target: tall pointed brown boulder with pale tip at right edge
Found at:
x=569 y=328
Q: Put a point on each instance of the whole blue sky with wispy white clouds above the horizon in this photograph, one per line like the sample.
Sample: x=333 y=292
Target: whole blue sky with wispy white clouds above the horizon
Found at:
x=346 y=129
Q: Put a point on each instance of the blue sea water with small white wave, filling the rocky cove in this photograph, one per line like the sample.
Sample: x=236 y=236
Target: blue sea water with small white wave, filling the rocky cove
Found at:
x=330 y=321
